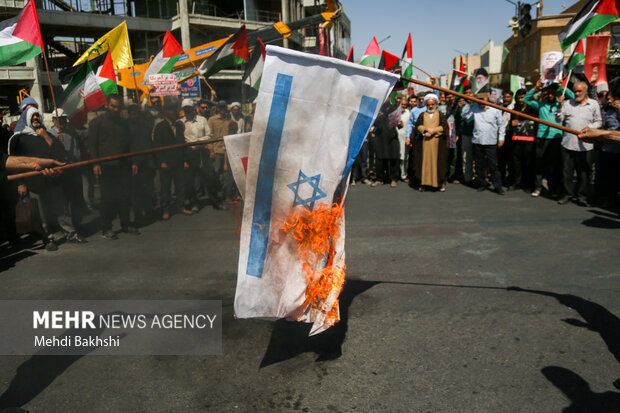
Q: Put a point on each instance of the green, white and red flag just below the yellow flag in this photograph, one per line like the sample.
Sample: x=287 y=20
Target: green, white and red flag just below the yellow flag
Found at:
x=82 y=95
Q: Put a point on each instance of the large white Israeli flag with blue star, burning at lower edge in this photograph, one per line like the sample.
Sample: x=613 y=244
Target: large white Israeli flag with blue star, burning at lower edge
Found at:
x=312 y=116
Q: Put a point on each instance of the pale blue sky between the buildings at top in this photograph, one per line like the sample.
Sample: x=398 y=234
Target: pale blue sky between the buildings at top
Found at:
x=437 y=27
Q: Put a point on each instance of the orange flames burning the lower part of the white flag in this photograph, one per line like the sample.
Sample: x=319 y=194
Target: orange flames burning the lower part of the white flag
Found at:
x=316 y=232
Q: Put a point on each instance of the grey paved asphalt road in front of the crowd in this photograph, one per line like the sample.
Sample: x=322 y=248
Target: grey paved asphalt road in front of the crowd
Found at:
x=429 y=321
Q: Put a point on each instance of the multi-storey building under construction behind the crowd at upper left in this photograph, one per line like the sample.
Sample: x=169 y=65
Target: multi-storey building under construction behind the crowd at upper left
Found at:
x=69 y=27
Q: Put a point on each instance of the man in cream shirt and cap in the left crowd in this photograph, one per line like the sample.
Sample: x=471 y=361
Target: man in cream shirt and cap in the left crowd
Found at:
x=196 y=129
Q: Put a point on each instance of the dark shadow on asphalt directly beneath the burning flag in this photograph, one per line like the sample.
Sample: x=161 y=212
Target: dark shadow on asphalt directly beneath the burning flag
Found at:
x=290 y=338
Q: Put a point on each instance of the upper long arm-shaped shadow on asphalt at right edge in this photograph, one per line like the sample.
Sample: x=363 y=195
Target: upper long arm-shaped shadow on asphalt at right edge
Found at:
x=597 y=318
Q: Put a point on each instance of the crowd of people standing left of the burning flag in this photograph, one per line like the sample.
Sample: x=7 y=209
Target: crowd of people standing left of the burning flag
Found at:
x=136 y=189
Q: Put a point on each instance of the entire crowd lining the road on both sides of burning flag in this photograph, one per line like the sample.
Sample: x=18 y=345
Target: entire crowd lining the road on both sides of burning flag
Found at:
x=434 y=139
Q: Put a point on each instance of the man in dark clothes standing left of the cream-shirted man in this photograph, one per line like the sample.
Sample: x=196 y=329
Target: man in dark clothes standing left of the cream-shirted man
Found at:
x=171 y=163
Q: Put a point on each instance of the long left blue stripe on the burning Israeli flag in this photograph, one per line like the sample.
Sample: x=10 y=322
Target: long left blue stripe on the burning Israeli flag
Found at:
x=259 y=236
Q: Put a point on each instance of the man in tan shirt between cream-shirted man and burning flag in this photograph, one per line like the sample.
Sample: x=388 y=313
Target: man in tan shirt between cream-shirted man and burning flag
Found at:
x=215 y=165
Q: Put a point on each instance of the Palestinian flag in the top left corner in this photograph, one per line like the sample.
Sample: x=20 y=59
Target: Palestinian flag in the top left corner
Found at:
x=20 y=37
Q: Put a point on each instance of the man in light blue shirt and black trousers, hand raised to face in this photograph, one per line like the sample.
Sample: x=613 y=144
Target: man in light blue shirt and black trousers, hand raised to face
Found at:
x=489 y=133
